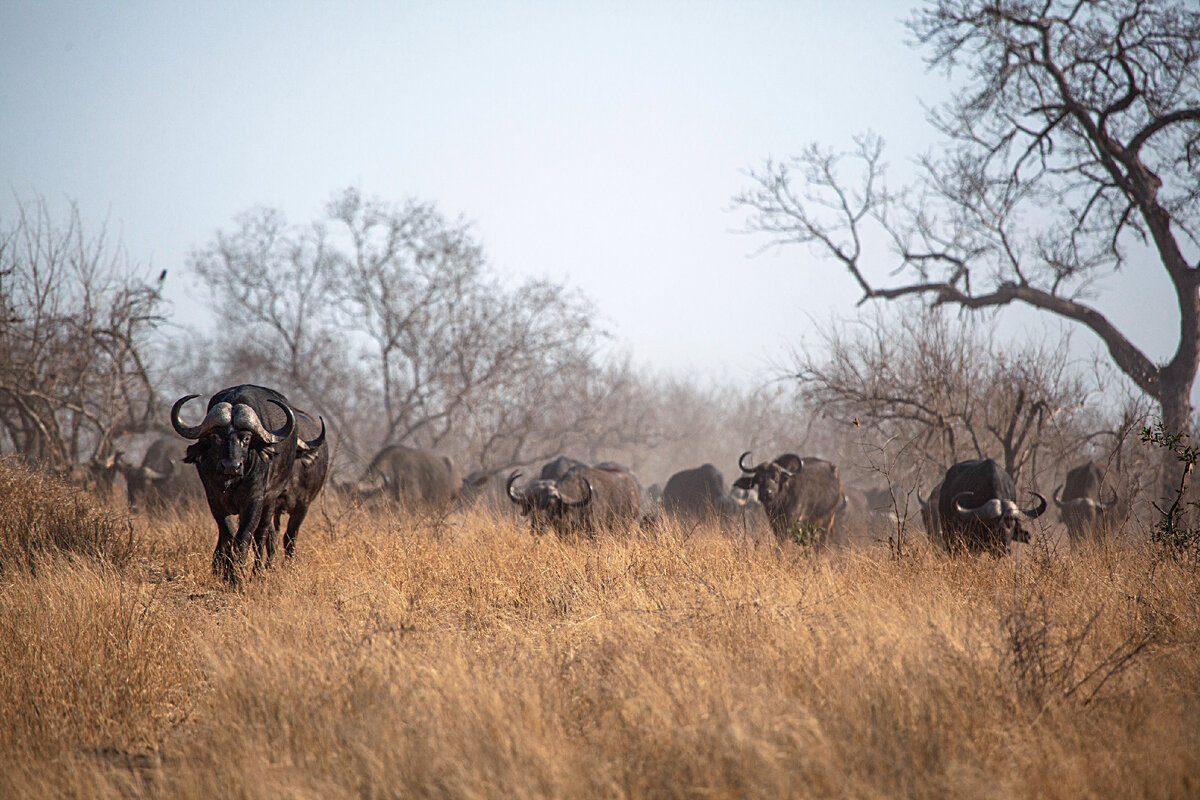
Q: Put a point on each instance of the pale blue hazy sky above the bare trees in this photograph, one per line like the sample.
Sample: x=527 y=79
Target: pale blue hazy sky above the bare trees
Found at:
x=598 y=143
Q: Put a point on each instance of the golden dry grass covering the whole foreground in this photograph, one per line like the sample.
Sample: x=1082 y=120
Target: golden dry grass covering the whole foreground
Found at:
x=463 y=658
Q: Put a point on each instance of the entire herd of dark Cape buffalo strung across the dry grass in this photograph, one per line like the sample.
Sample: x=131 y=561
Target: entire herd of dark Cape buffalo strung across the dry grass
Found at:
x=260 y=459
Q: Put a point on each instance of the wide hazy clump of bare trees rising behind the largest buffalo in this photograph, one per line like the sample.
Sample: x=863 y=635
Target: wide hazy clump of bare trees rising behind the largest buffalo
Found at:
x=388 y=321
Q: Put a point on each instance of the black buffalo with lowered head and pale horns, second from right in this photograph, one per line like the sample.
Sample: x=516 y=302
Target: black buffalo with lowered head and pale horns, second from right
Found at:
x=979 y=509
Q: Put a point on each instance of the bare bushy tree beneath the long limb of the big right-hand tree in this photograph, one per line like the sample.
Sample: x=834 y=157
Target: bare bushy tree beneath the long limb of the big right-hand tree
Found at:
x=944 y=390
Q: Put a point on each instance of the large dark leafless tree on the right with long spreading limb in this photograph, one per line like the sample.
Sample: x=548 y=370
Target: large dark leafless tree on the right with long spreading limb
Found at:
x=1072 y=148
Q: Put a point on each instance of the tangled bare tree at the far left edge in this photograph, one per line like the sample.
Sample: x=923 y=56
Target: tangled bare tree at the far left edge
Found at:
x=77 y=324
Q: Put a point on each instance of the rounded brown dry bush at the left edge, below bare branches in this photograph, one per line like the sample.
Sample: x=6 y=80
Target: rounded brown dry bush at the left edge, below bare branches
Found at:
x=44 y=516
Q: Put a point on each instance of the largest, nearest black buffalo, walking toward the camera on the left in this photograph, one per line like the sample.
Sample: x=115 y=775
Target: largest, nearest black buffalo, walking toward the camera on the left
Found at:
x=244 y=452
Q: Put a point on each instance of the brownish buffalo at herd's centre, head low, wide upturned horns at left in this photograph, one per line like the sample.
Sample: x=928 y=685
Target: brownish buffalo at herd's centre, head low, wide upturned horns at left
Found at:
x=585 y=501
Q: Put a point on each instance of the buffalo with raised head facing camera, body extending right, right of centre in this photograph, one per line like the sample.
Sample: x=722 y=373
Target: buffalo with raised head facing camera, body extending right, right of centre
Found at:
x=801 y=496
